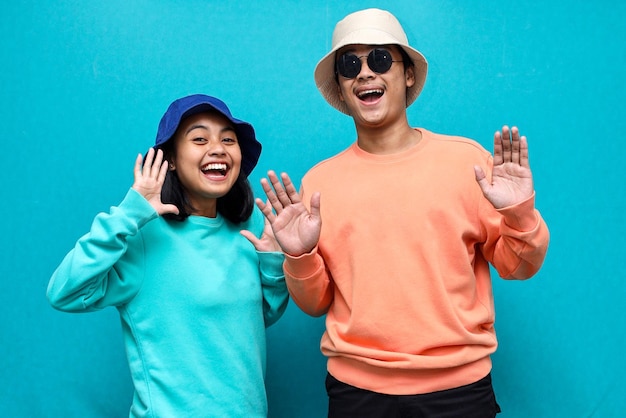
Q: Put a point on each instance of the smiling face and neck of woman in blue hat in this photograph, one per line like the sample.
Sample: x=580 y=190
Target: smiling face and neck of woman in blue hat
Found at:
x=207 y=159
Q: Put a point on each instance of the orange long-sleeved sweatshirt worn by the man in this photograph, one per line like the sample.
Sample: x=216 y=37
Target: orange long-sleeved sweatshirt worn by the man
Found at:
x=402 y=266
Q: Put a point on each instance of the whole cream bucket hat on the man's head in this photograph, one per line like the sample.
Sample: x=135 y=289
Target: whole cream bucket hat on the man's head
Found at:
x=367 y=27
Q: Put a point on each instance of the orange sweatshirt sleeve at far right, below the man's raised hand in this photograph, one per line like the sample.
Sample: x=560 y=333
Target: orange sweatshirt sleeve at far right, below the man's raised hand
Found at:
x=518 y=241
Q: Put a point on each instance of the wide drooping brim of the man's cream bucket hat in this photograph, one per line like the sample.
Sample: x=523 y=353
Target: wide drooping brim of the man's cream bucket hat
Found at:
x=325 y=70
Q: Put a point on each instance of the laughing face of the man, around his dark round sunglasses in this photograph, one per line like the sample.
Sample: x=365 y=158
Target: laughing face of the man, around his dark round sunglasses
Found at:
x=375 y=99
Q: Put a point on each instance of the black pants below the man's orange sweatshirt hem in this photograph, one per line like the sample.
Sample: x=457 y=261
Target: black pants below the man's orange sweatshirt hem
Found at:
x=476 y=400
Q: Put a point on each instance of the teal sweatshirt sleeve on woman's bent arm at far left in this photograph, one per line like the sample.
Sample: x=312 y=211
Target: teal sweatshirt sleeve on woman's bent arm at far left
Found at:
x=95 y=273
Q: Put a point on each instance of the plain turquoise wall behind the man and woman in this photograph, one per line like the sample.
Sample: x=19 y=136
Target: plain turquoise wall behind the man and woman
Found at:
x=84 y=83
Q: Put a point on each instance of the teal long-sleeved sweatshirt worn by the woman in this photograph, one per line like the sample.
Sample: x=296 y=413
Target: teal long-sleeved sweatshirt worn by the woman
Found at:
x=194 y=297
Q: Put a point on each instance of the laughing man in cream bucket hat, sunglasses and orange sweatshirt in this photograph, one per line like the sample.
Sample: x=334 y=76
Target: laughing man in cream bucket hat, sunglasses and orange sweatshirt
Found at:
x=396 y=237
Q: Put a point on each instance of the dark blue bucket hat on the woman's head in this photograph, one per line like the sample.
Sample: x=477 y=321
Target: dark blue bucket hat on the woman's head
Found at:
x=197 y=103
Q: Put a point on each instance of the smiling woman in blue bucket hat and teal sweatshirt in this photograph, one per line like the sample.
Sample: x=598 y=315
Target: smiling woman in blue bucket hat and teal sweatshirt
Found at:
x=191 y=266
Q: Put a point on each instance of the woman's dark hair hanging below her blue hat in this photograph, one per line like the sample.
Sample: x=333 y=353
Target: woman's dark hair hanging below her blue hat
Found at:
x=236 y=205
